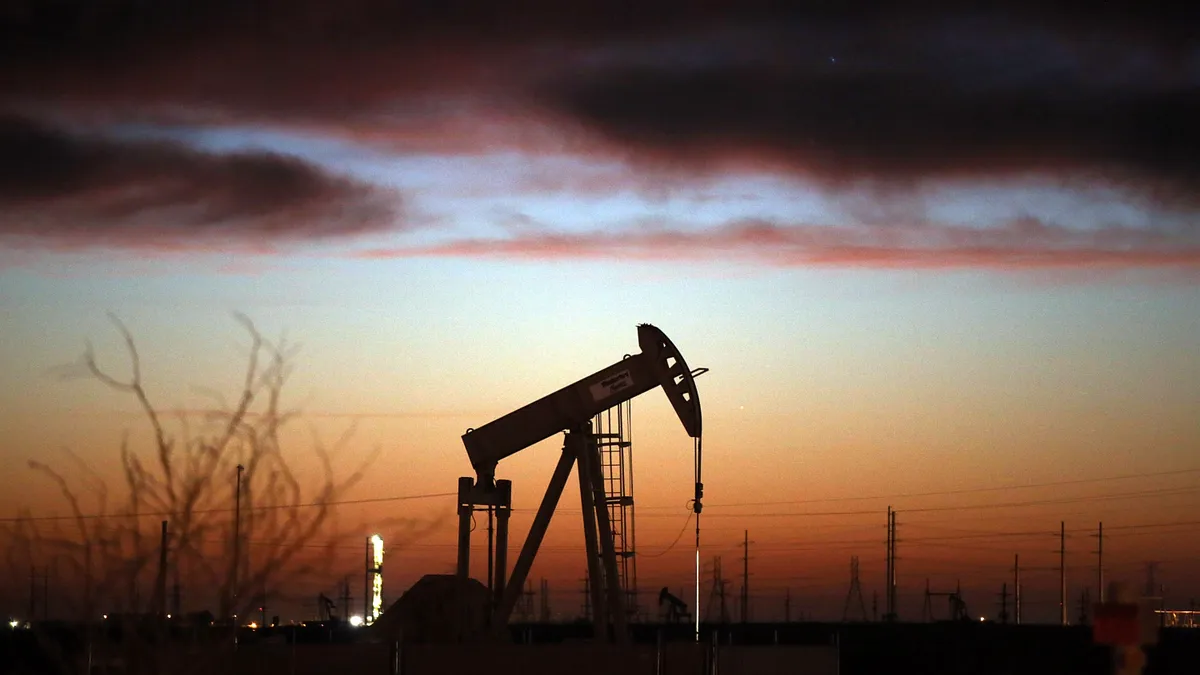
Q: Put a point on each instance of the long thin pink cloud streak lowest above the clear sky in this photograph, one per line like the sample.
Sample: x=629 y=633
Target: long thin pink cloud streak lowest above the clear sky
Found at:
x=1022 y=246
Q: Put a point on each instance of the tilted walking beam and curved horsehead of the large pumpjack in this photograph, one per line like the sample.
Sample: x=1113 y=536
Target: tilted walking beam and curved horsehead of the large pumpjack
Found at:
x=659 y=365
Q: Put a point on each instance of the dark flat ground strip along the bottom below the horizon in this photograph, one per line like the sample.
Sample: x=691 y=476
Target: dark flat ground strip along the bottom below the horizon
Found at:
x=800 y=649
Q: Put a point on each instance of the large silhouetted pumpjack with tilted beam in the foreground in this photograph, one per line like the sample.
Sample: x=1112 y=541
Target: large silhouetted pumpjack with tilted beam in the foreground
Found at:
x=571 y=410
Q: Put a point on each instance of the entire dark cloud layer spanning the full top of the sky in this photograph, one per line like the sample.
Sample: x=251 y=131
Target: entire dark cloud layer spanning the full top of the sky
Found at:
x=842 y=92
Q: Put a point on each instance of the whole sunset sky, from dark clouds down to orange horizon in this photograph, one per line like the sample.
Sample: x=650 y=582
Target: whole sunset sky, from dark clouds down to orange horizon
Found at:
x=926 y=253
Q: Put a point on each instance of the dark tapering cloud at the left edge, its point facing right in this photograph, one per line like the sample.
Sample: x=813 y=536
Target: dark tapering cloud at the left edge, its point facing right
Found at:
x=62 y=189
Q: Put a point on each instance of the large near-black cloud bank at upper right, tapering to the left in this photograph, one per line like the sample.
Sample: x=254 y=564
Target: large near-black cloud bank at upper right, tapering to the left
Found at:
x=947 y=99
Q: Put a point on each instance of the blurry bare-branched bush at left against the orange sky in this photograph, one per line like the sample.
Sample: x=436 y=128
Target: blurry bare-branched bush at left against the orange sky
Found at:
x=107 y=548
